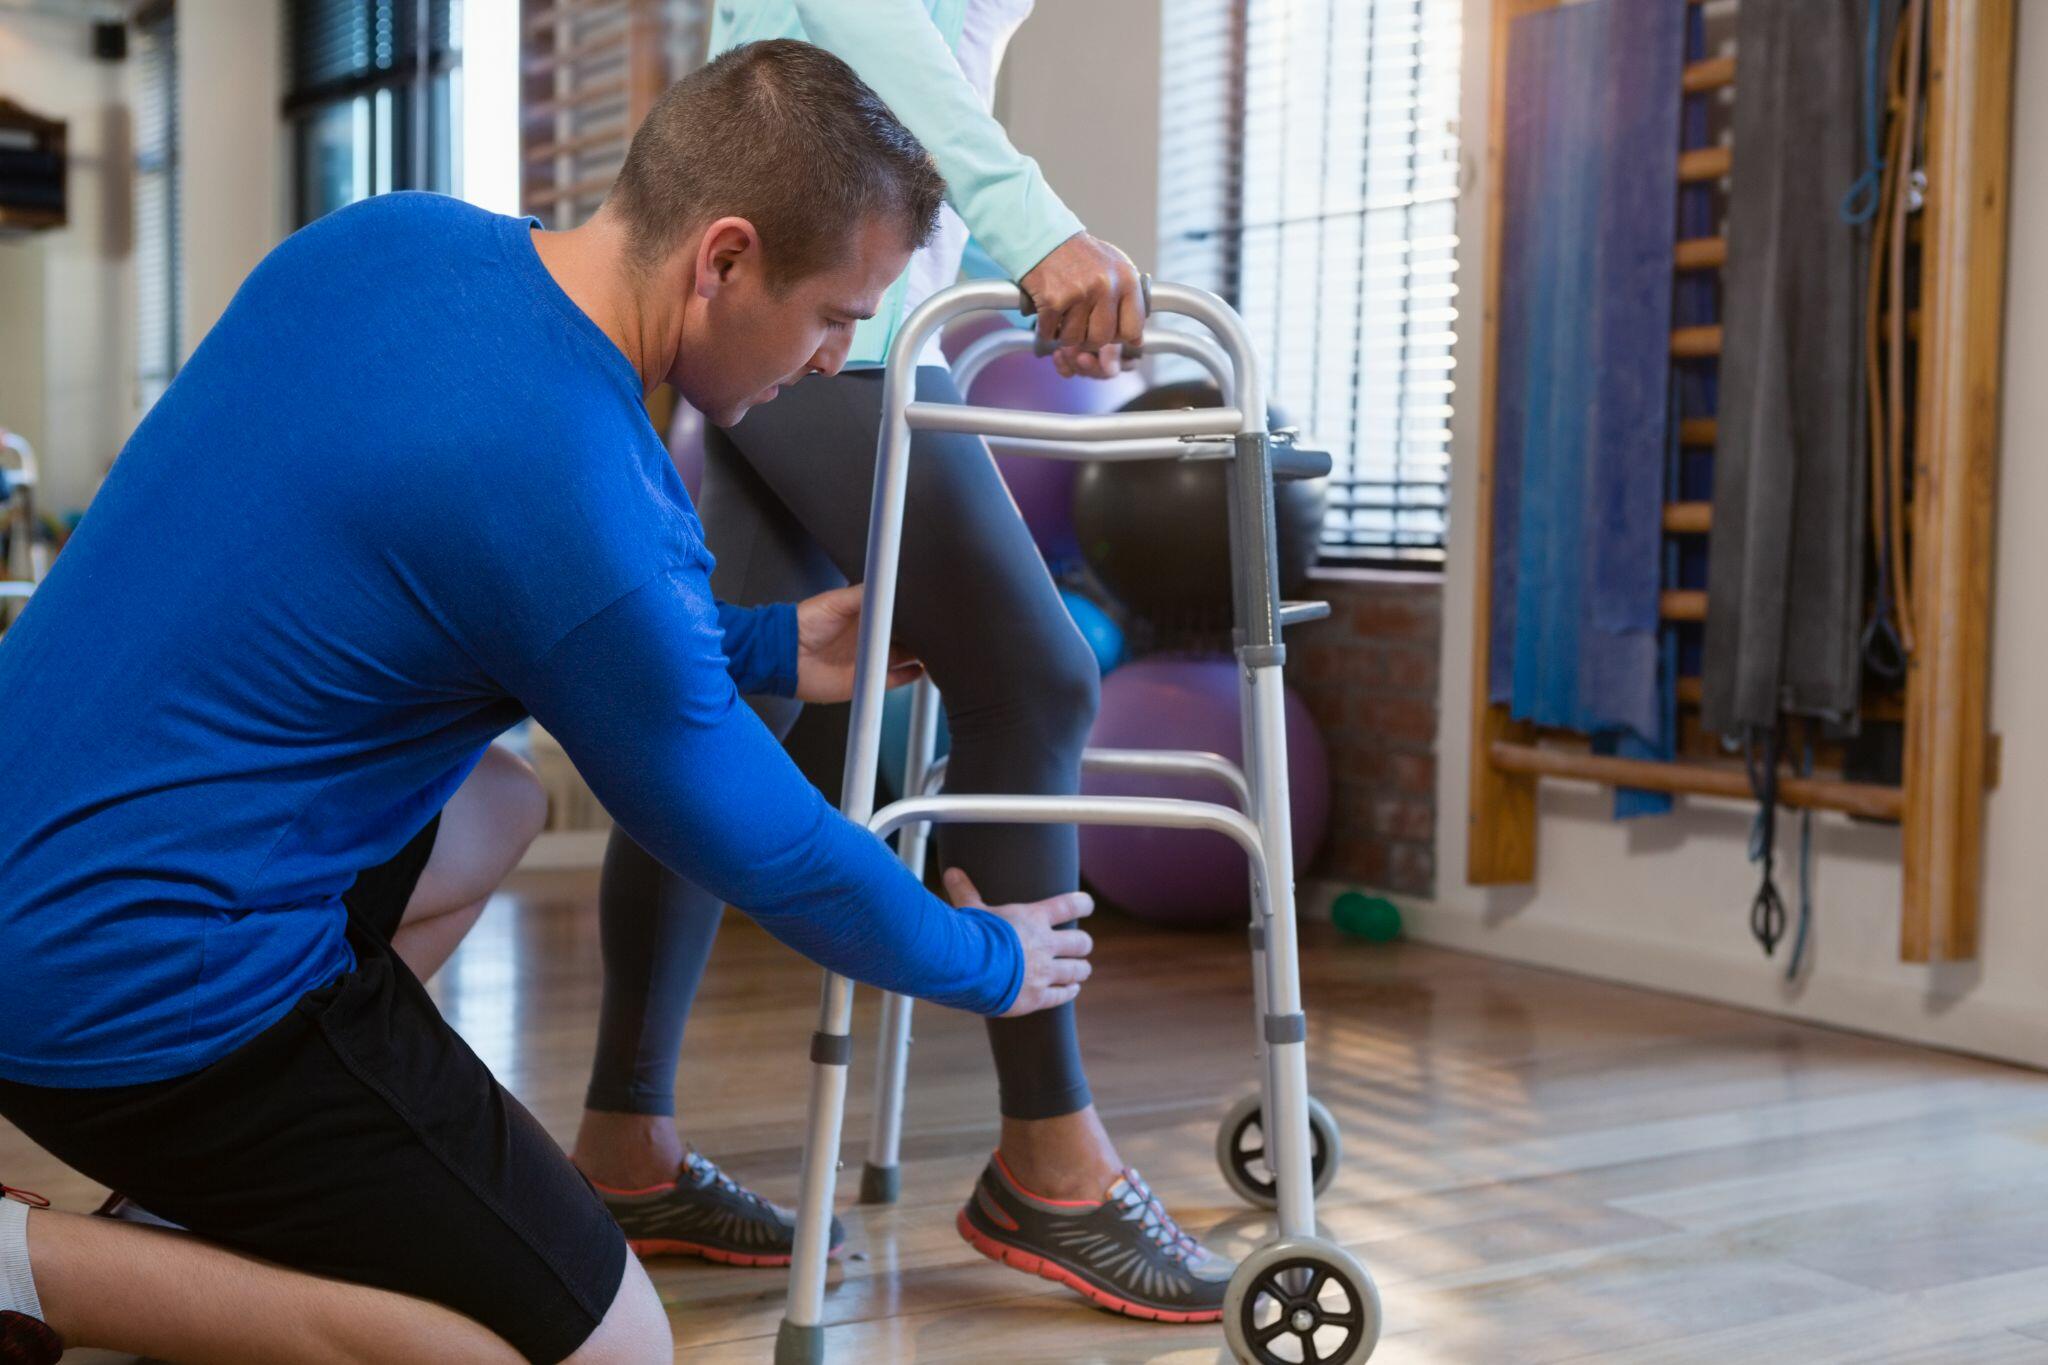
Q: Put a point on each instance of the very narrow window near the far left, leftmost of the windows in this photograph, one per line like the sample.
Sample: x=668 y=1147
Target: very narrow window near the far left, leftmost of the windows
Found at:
x=159 y=271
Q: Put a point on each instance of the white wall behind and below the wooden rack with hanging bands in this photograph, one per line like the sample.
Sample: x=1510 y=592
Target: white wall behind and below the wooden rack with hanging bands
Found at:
x=1664 y=901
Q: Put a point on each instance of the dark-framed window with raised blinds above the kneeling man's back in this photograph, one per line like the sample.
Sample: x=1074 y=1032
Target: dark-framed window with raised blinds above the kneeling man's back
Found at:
x=370 y=103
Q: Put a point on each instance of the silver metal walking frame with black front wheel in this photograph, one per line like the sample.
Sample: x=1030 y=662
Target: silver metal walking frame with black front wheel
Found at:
x=1263 y=828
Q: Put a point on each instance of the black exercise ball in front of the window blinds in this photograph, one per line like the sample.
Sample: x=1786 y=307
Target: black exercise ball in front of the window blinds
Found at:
x=1156 y=533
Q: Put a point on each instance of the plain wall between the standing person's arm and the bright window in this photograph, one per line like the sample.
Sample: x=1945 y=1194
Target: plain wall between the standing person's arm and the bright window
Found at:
x=1080 y=91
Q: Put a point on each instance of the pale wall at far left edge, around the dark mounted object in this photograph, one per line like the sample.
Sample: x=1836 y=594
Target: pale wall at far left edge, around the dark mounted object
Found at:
x=69 y=296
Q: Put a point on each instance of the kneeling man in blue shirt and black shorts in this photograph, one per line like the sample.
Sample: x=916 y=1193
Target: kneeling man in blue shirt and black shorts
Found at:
x=402 y=496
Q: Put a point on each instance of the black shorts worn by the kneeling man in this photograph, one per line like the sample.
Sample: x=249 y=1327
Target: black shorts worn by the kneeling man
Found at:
x=359 y=1137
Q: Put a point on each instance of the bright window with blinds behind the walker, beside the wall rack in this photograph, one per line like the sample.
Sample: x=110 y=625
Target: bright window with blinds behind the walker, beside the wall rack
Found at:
x=1310 y=175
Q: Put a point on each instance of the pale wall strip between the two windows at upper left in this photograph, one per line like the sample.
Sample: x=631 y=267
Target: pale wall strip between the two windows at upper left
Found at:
x=234 y=191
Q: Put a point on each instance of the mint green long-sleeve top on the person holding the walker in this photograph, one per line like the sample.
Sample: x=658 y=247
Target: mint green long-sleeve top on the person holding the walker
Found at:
x=906 y=54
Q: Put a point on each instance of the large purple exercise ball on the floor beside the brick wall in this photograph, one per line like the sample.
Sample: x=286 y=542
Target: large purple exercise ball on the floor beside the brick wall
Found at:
x=1189 y=877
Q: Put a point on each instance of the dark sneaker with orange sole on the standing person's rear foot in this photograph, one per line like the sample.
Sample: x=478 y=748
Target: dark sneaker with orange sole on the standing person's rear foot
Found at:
x=703 y=1213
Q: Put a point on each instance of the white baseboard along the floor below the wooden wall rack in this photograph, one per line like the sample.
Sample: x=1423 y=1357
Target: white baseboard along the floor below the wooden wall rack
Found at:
x=1906 y=1012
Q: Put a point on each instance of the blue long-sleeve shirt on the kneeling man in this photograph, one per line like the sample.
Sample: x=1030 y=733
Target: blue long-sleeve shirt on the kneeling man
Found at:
x=402 y=496
